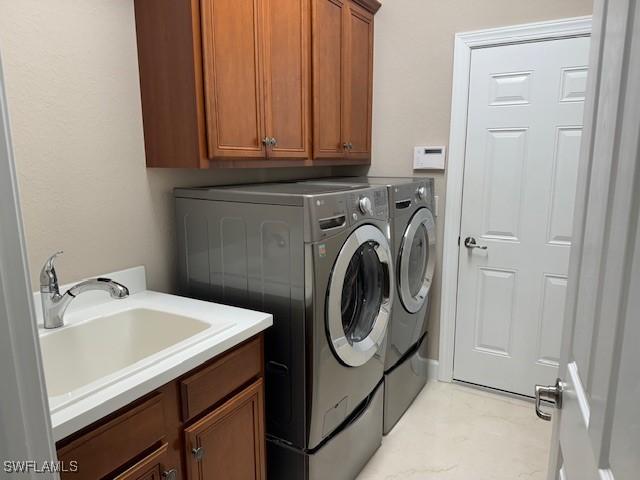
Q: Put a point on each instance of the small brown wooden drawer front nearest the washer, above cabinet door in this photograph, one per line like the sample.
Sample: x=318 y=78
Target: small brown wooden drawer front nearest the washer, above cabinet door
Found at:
x=208 y=386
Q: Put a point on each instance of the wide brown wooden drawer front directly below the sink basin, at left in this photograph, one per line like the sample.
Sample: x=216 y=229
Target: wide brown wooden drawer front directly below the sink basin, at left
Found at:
x=116 y=442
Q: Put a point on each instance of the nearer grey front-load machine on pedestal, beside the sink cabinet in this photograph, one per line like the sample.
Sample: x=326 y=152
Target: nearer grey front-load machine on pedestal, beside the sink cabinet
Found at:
x=319 y=259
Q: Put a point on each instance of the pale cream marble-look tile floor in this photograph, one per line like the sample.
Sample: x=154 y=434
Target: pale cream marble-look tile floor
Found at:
x=452 y=432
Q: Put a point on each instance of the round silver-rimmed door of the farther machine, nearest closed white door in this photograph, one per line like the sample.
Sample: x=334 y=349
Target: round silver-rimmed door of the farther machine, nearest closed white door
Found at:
x=417 y=260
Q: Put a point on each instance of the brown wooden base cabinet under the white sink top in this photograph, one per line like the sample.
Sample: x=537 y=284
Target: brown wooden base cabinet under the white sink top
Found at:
x=207 y=424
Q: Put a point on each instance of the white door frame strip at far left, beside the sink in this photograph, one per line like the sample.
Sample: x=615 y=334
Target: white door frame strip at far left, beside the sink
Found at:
x=24 y=412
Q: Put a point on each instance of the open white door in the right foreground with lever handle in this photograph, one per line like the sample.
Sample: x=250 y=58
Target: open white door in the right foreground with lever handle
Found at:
x=597 y=430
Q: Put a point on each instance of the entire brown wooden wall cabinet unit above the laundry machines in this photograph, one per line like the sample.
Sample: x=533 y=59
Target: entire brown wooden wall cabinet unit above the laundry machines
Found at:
x=229 y=83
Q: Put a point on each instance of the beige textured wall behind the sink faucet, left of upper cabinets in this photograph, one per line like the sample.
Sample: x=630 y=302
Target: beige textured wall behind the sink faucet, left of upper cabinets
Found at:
x=71 y=70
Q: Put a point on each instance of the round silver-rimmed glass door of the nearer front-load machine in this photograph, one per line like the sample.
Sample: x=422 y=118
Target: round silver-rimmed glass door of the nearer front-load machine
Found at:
x=360 y=296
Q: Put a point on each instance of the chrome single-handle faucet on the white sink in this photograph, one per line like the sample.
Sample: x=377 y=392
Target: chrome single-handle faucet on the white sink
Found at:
x=54 y=305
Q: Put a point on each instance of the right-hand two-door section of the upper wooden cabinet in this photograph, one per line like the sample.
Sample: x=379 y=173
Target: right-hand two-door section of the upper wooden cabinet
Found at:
x=342 y=80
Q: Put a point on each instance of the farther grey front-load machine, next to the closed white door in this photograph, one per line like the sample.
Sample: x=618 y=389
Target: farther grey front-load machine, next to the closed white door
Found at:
x=413 y=240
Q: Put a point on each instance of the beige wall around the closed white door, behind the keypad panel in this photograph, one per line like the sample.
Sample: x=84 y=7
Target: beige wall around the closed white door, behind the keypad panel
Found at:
x=413 y=68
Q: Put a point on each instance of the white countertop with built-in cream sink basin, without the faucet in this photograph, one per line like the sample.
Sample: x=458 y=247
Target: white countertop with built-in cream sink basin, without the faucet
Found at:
x=111 y=352
